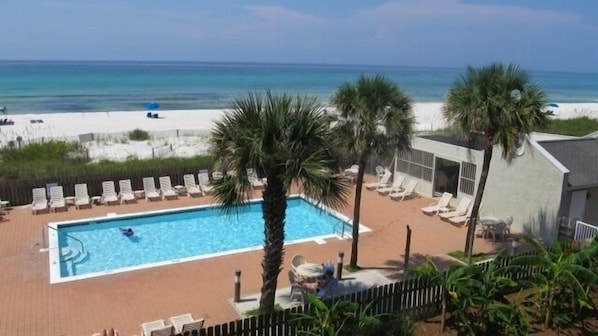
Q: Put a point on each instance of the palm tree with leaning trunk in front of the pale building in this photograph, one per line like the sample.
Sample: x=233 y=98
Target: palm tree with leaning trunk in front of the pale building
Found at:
x=500 y=104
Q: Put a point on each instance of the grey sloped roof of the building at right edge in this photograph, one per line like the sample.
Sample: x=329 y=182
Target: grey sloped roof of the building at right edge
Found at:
x=580 y=156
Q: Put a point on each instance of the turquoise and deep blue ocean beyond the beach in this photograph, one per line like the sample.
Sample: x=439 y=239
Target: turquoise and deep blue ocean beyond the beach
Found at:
x=91 y=86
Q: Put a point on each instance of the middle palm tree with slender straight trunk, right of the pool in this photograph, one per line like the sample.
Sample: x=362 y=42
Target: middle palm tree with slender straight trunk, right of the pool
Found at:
x=376 y=120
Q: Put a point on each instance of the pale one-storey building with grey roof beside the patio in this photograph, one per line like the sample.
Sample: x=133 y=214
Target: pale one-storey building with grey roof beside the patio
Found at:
x=550 y=178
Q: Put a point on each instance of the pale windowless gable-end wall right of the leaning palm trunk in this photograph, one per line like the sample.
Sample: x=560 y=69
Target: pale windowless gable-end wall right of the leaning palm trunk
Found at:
x=530 y=187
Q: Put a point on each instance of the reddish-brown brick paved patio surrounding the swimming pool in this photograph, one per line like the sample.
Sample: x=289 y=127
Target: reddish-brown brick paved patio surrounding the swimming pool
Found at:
x=204 y=288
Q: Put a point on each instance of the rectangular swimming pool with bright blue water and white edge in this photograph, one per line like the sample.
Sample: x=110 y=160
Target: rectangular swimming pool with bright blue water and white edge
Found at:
x=93 y=247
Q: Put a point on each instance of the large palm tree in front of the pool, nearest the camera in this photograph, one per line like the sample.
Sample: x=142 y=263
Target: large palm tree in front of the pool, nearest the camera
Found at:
x=287 y=140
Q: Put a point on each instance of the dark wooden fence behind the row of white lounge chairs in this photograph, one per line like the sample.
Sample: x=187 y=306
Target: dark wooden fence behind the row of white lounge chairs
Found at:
x=19 y=192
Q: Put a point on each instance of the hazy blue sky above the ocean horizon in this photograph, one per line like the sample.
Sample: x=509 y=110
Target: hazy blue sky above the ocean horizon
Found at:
x=537 y=34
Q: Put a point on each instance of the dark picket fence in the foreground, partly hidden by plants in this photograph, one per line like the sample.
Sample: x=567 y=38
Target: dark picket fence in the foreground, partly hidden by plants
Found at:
x=416 y=297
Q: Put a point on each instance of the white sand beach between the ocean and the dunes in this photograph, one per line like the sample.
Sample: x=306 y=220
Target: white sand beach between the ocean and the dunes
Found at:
x=175 y=133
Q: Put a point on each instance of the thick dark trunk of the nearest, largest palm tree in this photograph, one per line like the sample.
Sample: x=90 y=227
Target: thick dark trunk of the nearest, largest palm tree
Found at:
x=273 y=209
